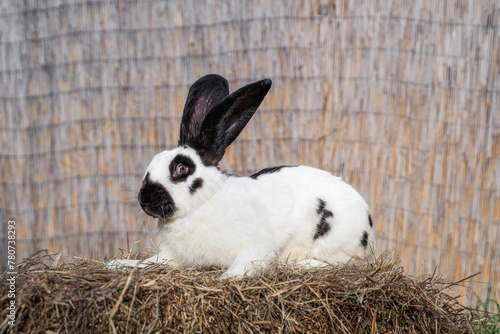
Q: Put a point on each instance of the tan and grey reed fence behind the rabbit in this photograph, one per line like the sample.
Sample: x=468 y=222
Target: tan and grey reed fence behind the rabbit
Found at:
x=400 y=98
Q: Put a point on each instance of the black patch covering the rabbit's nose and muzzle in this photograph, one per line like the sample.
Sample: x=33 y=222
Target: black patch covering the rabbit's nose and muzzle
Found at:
x=155 y=200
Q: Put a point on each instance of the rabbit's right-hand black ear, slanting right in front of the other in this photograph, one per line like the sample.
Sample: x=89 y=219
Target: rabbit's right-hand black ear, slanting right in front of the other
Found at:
x=226 y=120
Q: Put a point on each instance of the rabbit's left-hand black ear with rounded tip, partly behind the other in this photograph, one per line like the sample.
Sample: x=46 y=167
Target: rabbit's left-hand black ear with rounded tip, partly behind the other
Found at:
x=203 y=95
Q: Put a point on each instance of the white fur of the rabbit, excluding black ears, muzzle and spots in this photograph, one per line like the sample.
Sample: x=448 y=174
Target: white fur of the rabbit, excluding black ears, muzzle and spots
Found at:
x=240 y=223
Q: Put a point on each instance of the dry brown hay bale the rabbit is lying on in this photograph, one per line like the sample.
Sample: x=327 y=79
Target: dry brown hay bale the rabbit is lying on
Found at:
x=83 y=296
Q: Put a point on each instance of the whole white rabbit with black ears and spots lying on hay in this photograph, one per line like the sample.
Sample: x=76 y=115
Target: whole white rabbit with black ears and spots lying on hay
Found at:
x=207 y=217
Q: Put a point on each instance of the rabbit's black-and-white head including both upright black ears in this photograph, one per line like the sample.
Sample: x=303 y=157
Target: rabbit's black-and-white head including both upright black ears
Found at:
x=179 y=180
